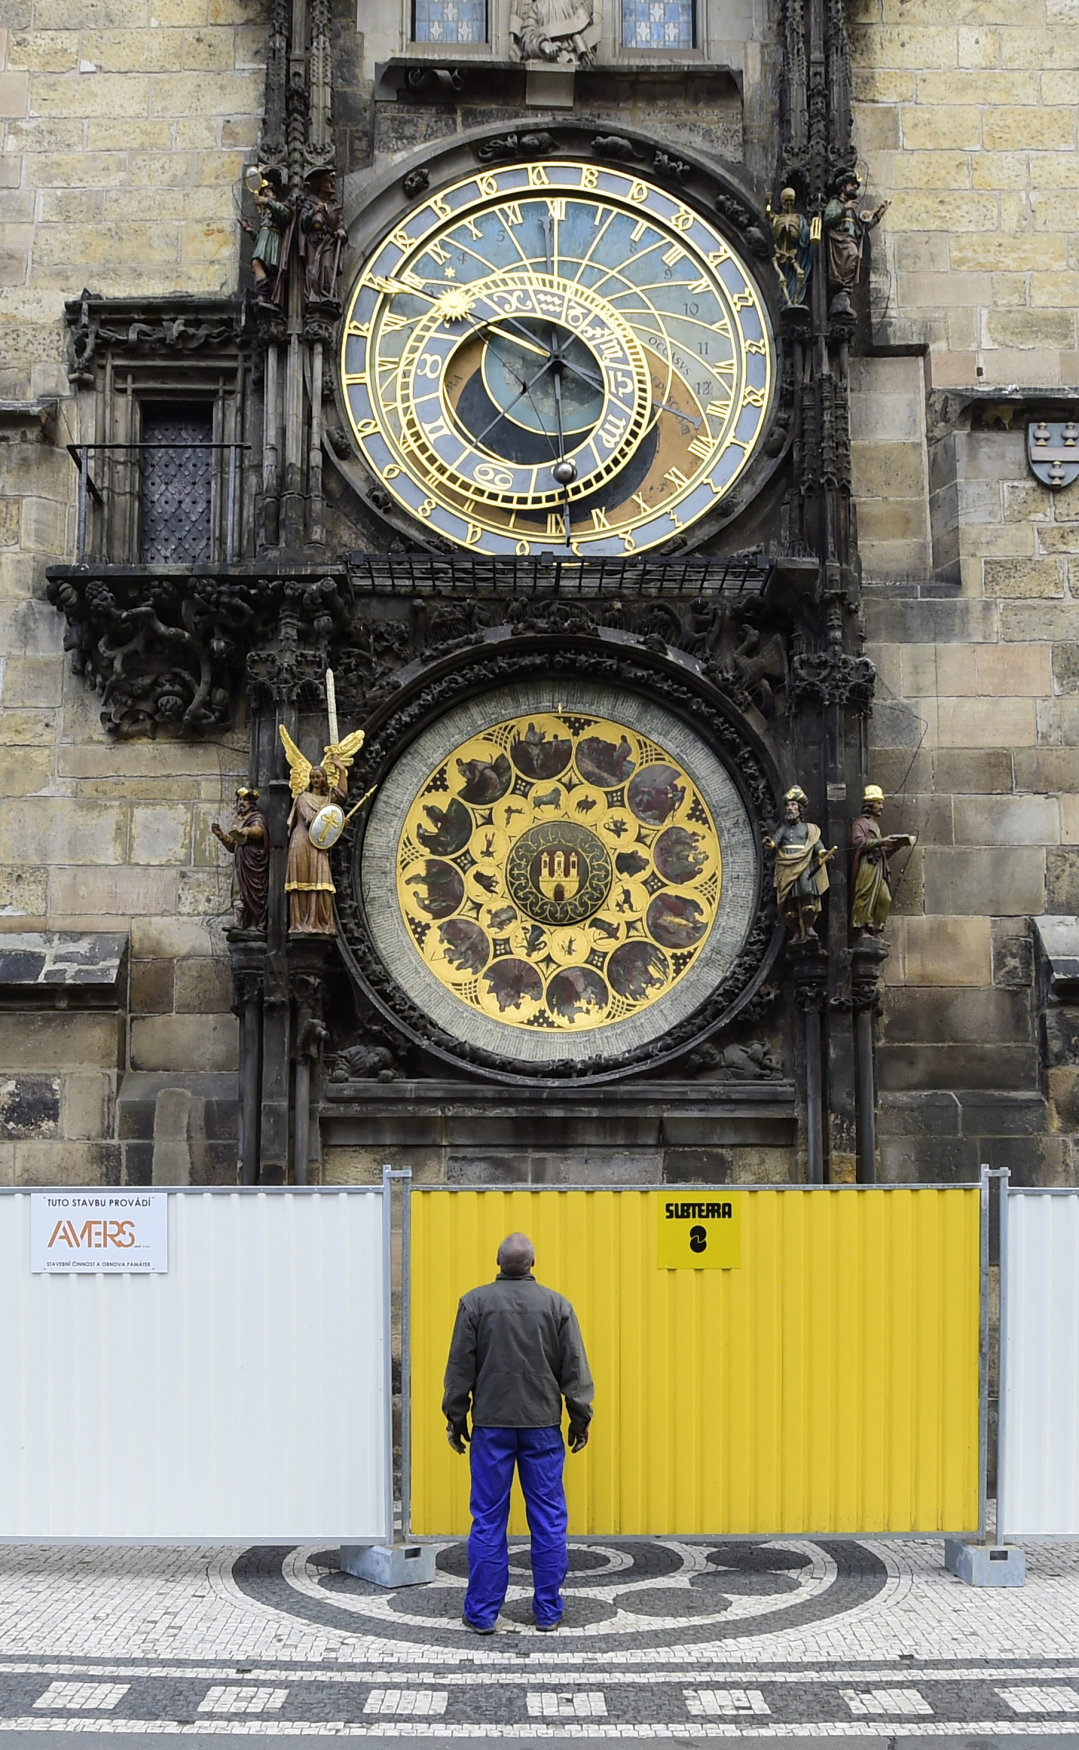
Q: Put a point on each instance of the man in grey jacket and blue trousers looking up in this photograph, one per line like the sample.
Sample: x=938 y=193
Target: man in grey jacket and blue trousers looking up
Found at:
x=517 y=1354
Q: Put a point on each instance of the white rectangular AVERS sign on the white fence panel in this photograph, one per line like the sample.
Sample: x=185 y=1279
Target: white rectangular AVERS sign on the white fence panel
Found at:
x=104 y=1233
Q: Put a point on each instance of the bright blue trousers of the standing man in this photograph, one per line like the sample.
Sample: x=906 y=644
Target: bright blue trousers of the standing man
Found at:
x=539 y=1457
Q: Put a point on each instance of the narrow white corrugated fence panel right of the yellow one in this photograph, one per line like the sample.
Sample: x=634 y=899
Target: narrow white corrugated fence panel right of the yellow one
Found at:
x=1040 y=1494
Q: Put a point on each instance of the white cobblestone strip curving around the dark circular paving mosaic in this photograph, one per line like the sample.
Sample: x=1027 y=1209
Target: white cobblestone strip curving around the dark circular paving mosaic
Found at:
x=109 y=1604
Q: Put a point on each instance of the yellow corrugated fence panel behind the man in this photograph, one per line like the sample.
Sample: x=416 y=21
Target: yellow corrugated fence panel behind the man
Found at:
x=826 y=1385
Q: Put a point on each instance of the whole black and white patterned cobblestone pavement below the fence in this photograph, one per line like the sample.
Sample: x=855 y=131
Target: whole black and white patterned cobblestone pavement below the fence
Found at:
x=662 y=1641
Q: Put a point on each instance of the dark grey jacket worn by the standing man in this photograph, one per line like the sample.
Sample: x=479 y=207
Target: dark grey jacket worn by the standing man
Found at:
x=517 y=1352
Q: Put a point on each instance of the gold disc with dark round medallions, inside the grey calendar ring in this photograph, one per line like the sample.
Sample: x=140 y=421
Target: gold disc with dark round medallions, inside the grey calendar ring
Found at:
x=559 y=872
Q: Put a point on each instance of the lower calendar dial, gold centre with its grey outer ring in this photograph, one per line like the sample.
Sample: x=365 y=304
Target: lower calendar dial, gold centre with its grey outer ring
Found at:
x=559 y=871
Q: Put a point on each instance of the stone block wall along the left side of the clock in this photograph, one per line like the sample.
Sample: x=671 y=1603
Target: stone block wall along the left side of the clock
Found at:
x=125 y=132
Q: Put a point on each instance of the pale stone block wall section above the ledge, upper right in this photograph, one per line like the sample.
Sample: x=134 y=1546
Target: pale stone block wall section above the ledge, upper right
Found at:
x=968 y=122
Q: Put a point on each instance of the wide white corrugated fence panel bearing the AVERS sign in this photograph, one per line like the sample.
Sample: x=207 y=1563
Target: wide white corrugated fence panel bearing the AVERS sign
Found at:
x=240 y=1397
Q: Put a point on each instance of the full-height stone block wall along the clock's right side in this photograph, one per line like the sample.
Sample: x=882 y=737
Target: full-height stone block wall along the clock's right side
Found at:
x=968 y=123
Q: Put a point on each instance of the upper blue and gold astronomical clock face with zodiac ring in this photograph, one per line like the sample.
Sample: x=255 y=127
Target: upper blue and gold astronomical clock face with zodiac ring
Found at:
x=557 y=358
